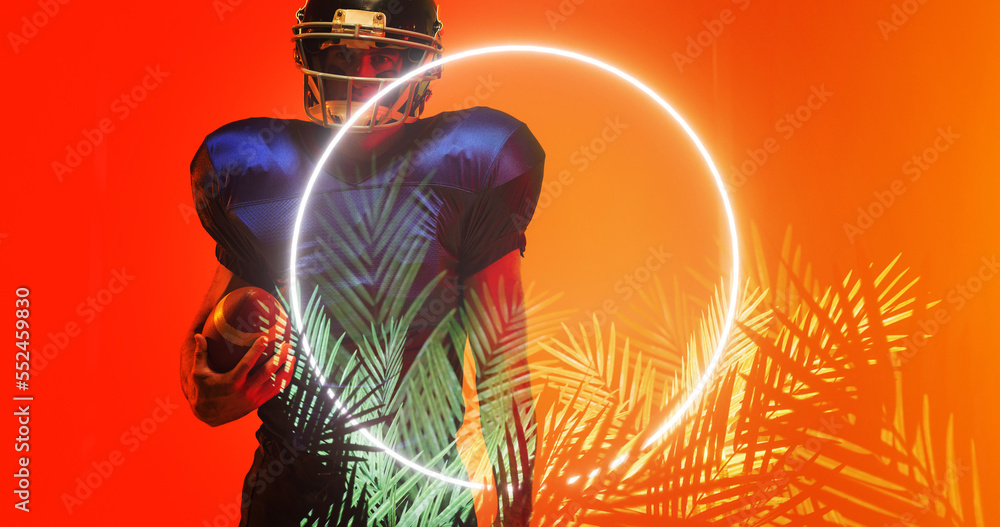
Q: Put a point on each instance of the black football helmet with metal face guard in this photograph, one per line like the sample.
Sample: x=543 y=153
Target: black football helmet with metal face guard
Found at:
x=348 y=50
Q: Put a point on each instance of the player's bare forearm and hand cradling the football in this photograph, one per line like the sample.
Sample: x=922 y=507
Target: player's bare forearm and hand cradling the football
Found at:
x=219 y=398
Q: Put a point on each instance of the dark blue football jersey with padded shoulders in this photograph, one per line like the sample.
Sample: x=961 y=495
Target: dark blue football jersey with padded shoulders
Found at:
x=401 y=232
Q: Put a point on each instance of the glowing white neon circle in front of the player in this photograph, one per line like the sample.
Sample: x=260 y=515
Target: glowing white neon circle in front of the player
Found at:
x=681 y=410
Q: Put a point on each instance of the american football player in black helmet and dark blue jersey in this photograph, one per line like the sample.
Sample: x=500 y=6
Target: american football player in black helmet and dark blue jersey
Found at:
x=414 y=223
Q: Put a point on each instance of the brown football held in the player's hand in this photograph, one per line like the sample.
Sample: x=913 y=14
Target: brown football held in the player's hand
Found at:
x=237 y=321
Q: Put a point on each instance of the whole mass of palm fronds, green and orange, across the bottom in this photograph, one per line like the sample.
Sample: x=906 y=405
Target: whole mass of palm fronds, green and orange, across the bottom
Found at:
x=803 y=423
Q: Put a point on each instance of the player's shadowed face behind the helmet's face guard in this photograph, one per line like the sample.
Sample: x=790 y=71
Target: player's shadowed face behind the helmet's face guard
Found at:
x=381 y=63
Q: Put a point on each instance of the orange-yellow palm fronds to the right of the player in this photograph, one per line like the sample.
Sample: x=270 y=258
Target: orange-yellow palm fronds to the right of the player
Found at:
x=802 y=425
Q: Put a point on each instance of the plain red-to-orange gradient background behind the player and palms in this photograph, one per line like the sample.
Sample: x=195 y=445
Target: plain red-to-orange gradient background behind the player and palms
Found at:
x=128 y=206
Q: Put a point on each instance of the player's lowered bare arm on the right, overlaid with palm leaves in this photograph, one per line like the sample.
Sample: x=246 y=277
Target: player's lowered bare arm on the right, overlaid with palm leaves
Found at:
x=496 y=322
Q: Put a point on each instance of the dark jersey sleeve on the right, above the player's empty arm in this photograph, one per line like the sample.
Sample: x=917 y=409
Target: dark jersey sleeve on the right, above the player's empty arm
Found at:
x=496 y=222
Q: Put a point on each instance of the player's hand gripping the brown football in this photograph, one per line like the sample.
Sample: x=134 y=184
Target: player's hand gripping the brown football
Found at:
x=223 y=397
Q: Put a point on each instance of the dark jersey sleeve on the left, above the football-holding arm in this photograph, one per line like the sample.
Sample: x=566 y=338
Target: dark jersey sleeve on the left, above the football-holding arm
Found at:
x=235 y=248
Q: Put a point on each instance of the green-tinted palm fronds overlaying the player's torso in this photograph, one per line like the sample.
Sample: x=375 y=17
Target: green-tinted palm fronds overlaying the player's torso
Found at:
x=360 y=371
